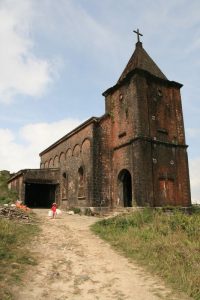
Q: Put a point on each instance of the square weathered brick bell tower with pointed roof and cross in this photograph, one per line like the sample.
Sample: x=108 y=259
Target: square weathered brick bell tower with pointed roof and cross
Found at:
x=147 y=135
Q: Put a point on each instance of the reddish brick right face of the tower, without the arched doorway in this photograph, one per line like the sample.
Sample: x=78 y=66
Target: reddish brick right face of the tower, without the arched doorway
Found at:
x=169 y=156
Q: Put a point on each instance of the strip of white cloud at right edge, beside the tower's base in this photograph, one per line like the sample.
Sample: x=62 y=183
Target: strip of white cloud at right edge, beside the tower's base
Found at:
x=194 y=165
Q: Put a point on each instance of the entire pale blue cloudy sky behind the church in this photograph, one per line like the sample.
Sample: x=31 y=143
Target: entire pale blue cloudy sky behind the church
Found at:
x=57 y=57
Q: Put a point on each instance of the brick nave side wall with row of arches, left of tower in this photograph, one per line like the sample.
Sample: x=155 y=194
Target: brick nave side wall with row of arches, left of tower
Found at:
x=74 y=157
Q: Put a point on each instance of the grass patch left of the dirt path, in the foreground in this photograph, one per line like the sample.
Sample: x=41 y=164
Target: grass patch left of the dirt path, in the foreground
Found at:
x=14 y=256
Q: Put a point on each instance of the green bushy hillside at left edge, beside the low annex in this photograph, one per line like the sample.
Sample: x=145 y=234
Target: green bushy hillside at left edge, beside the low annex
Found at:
x=6 y=196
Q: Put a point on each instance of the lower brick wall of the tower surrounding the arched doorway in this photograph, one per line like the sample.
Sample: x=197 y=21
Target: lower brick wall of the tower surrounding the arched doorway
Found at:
x=136 y=158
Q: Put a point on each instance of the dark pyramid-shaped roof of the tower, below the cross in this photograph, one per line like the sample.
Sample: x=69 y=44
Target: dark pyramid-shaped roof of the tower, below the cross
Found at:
x=141 y=60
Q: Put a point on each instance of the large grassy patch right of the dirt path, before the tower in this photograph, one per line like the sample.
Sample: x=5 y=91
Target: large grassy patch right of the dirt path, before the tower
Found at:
x=167 y=243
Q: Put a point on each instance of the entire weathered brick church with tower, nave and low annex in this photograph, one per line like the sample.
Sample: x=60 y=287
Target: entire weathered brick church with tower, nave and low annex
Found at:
x=133 y=155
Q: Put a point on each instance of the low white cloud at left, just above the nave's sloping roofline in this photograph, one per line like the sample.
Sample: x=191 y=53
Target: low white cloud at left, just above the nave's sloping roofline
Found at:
x=21 y=150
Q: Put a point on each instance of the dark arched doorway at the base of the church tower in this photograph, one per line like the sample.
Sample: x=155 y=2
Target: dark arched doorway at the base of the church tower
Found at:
x=125 y=188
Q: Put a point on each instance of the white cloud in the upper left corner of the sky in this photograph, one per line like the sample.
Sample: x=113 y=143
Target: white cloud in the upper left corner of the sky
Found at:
x=21 y=71
